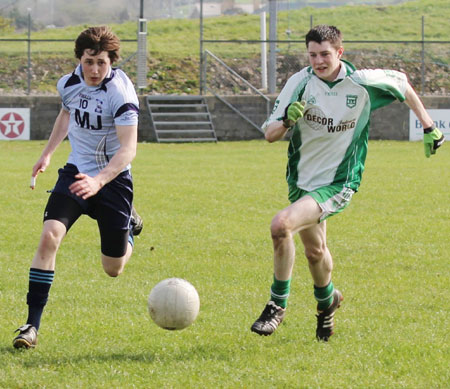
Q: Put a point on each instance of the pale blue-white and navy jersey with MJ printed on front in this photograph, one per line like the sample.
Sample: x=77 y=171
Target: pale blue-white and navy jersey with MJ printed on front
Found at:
x=94 y=113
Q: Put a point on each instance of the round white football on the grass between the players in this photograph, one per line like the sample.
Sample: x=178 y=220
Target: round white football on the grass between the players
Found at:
x=173 y=304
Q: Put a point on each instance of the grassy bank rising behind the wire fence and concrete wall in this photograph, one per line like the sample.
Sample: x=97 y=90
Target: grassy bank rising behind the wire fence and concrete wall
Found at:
x=173 y=45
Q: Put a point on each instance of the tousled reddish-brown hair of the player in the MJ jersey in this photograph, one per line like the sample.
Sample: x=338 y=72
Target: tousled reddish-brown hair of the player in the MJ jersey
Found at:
x=98 y=39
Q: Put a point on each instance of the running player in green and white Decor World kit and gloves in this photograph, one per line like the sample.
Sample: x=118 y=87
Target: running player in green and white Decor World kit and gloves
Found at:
x=327 y=106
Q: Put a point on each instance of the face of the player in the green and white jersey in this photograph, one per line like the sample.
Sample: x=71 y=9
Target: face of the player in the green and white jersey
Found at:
x=325 y=59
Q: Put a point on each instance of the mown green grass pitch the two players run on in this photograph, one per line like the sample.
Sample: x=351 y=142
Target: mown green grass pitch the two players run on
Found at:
x=207 y=210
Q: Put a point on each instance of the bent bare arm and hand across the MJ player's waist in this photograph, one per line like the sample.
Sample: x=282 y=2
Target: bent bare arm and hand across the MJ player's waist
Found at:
x=88 y=186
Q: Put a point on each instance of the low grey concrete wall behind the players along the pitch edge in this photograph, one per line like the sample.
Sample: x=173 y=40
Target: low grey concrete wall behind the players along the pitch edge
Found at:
x=391 y=122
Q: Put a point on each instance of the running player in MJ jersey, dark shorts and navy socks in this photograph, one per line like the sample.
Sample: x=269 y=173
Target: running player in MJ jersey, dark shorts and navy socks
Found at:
x=99 y=114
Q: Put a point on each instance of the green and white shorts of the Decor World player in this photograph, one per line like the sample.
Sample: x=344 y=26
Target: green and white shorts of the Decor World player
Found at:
x=332 y=199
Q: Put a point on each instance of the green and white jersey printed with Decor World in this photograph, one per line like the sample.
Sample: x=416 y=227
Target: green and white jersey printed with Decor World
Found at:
x=329 y=144
